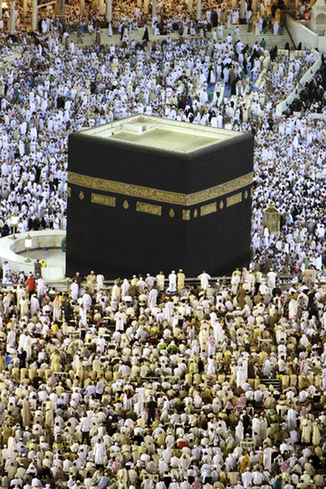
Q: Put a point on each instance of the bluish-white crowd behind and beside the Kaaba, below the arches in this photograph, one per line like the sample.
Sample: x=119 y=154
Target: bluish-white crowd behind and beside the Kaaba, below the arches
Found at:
x=53 y=90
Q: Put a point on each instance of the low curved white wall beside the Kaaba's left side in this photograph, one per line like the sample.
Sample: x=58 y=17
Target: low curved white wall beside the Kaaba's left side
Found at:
x=10 y=248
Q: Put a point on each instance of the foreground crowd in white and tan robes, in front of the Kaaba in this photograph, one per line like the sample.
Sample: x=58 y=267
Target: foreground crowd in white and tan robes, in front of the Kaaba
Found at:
x=155 y=384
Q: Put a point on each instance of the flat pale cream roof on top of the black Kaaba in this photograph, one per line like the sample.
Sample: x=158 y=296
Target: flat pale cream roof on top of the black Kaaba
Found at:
x=163 y=134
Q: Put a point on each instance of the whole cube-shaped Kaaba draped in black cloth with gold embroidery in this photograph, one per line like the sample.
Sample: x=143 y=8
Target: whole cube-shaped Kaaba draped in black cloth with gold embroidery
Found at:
x=147 y=194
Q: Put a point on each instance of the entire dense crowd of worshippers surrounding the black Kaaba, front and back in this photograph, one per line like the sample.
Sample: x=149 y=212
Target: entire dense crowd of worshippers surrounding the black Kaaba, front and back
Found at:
x=153 y=383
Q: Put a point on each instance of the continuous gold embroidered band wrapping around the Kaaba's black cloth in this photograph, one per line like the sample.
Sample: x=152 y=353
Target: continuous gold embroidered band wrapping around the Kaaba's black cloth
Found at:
x=160 y=195
